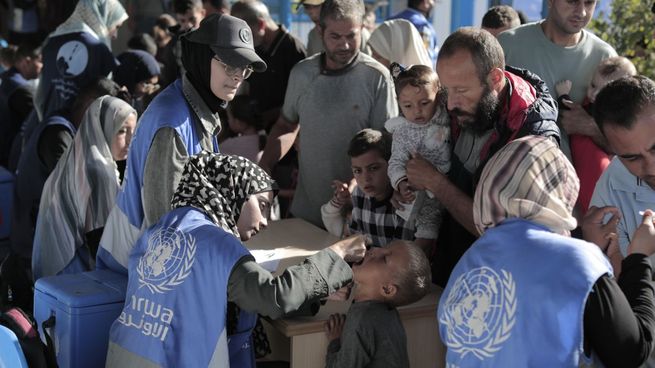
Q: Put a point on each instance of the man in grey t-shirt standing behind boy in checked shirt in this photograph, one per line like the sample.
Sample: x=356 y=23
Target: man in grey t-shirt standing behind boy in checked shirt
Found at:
x=331 y=95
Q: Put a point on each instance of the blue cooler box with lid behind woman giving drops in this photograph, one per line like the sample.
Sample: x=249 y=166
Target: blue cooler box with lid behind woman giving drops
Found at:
x=84 y=305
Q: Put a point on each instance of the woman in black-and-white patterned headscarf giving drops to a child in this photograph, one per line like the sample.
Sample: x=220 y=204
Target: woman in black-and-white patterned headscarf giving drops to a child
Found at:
x=194 y=290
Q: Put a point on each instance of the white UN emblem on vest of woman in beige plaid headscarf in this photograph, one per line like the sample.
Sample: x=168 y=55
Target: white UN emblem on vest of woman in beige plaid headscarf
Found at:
x=479 y=312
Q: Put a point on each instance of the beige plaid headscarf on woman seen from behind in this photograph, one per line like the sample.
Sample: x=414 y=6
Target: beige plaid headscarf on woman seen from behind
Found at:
x=529 y=178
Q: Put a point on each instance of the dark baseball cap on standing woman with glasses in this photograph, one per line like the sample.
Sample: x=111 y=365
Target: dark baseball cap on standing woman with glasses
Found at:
x=230 y=38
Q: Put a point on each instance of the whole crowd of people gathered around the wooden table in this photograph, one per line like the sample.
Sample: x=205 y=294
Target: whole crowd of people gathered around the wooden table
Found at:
x=486 y=166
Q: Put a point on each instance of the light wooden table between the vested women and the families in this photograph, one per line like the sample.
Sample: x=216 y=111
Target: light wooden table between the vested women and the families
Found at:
x=301 y=340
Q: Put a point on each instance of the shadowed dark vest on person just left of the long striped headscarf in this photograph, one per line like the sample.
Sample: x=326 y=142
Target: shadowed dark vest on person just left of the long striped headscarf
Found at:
x=30 y=179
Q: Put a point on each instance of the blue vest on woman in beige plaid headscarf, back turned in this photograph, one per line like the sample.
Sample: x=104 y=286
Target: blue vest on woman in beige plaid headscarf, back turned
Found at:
x=517 y=298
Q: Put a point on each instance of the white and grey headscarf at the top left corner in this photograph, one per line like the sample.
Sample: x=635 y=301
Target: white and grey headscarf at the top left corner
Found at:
x=96 y=17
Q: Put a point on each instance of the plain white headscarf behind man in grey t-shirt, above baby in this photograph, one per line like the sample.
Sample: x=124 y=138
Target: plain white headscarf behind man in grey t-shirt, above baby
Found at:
x=398 y=41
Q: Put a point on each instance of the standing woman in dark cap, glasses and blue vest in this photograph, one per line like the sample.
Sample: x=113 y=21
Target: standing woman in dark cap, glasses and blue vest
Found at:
x=180 y=122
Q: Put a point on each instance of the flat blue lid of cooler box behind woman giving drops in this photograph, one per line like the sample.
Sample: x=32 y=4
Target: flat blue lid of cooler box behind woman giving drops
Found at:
x=86 y=289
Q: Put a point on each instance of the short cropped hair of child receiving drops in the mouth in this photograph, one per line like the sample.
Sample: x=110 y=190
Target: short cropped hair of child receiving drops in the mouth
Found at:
x=412 y=281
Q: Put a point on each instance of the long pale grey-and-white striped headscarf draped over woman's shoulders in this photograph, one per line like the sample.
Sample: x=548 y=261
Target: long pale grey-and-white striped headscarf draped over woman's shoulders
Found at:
x=81 y=190
